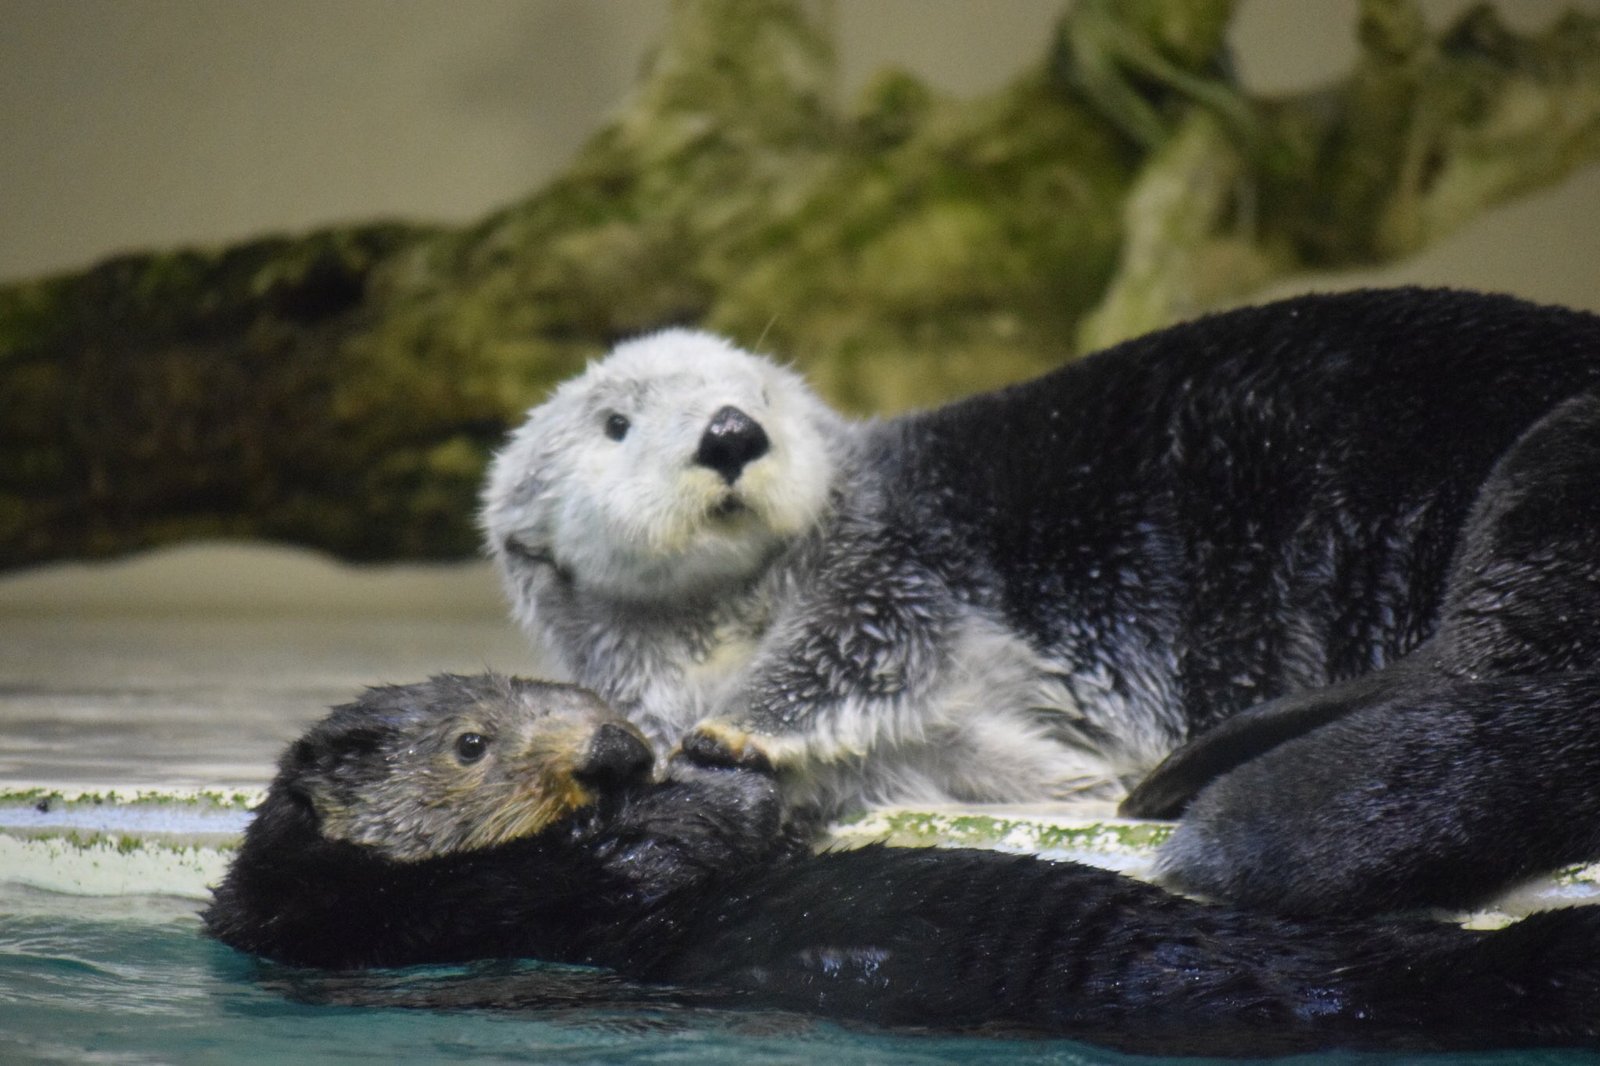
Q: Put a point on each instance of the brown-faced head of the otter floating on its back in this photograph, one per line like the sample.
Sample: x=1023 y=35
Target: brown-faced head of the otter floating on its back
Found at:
x=457 y=764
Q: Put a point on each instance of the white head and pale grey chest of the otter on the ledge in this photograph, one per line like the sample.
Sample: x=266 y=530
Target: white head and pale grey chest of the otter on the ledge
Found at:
x=681 y=591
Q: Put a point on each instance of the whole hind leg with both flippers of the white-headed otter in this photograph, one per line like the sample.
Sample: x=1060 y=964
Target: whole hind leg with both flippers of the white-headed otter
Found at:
x=1471 y=763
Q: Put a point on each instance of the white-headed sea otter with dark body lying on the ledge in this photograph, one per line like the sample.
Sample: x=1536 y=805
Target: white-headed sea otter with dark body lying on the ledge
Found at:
x=1343 y=547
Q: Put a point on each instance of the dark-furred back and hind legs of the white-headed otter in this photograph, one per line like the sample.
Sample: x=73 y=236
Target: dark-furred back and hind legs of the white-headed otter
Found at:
x=1346 y=545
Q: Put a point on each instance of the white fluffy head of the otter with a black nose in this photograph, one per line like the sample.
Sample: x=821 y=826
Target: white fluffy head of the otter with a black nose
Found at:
x=674 y=467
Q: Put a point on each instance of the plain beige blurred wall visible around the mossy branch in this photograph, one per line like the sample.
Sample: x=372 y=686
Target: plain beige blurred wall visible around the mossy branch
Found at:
x=142 y=124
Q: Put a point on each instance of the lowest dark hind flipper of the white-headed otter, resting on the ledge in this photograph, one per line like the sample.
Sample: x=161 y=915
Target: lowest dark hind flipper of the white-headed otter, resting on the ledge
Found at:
x=1439 y=798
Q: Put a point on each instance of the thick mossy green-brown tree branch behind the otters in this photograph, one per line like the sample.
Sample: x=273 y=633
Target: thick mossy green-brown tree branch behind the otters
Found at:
x=345 y=390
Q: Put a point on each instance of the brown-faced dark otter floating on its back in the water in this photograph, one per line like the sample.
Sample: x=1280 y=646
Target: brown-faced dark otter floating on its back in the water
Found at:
x=486 y=817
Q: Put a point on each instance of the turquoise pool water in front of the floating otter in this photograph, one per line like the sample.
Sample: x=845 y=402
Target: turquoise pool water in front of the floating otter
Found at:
x=130 y=980
